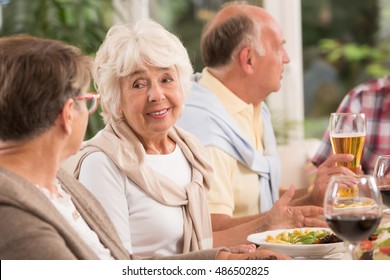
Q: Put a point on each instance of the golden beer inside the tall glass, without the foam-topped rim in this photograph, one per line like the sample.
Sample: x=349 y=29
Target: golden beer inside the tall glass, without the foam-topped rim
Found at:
x=349 y=143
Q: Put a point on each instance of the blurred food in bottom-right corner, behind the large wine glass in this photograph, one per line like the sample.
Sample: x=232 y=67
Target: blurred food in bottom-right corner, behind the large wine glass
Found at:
x=377 y=247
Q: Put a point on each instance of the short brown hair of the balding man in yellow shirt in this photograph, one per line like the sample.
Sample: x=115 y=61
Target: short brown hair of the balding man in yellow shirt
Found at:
x=219 y=42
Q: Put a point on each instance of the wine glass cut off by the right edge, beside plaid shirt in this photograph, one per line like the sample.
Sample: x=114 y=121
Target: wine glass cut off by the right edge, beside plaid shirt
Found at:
x=382 y=177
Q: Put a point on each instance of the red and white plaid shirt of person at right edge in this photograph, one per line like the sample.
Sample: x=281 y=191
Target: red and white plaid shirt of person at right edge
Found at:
x=372 y=99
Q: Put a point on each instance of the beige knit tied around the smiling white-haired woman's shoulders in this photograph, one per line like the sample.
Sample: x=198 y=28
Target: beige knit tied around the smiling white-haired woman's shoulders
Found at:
x=121 y=145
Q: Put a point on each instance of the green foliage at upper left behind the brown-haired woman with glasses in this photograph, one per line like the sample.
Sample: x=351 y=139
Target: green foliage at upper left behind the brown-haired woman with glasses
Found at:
x=82 y=23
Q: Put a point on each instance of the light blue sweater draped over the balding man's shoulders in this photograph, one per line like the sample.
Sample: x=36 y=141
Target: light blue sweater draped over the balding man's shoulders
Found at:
x=205 y=116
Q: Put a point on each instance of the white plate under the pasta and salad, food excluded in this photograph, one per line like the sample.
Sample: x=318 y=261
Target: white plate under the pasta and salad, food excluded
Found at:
x=297 y=250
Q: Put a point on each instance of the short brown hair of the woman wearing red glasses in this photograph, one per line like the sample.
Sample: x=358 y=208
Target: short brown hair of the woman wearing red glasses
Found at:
x=37 y=77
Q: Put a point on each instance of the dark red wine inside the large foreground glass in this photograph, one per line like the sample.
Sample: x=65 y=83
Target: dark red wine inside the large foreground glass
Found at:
x=353 y=228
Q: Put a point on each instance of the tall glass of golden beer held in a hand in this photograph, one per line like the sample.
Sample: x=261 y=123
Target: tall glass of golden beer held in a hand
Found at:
x=347 y=135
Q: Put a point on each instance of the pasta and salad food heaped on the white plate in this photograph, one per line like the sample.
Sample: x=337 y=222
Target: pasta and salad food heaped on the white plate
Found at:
x=304 y=236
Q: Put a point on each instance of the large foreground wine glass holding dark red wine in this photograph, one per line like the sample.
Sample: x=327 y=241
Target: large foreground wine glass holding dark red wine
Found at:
x=353 y=208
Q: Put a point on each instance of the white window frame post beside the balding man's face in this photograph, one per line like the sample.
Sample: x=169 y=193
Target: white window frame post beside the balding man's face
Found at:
x=287 y=104
